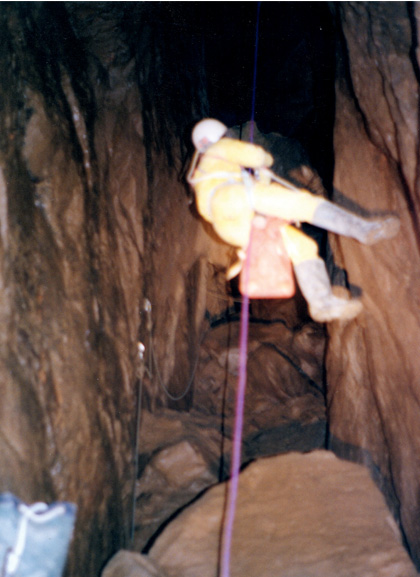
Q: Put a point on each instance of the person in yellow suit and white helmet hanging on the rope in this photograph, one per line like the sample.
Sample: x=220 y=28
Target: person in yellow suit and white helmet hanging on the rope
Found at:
x=233 y=183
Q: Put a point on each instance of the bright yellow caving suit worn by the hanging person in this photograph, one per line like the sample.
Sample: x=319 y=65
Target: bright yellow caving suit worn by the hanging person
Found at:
x=228 y=197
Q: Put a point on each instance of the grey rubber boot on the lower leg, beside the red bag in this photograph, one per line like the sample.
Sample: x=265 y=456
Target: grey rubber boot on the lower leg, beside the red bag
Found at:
x=324 y=306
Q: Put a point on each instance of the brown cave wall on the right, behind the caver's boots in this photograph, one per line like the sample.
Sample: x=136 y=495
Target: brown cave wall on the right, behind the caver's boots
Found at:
x=373 y=364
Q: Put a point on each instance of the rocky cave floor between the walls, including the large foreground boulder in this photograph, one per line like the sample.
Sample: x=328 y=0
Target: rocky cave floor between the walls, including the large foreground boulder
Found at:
x=300 y=510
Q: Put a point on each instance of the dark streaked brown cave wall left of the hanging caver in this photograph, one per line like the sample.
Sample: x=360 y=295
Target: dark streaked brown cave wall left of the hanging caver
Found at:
x=92 y=209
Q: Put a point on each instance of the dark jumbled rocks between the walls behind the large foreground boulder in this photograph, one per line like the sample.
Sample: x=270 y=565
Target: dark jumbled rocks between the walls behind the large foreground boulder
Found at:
x=182 y=454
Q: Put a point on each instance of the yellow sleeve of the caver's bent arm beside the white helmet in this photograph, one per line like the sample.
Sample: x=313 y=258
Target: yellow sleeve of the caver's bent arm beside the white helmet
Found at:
x=245 y=154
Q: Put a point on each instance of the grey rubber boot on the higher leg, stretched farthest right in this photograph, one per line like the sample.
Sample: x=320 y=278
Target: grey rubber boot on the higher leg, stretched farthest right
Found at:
x=367 y=231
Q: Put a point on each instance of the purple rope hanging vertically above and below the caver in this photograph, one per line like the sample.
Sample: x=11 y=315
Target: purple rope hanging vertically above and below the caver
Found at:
x=241 y=388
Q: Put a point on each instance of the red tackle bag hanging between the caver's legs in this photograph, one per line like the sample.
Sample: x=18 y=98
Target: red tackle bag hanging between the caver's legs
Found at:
x=267 y=265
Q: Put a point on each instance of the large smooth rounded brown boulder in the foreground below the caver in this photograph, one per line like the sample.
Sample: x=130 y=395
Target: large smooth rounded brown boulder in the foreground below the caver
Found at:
x=297 y=515
